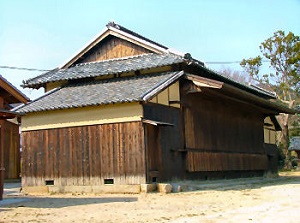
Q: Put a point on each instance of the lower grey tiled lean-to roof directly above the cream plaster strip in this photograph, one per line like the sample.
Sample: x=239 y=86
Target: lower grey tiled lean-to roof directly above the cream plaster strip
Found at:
x=93 y=93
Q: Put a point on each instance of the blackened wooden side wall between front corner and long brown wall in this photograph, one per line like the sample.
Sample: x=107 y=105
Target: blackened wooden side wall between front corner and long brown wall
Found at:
x=168 y=142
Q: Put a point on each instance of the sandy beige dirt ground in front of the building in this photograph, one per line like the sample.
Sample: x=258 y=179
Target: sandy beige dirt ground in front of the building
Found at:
x=275 y=200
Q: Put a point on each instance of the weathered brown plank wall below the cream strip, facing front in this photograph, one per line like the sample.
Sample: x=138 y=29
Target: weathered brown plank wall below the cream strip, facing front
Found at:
x=84 y=155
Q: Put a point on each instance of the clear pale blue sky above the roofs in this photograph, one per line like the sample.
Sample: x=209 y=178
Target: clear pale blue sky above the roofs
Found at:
x=44 y=34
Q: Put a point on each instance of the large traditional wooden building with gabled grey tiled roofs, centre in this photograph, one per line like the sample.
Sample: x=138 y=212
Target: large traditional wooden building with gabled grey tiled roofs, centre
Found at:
x=126 y=110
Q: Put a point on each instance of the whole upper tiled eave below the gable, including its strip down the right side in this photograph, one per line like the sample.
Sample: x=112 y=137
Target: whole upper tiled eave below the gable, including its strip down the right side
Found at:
x=128 y=64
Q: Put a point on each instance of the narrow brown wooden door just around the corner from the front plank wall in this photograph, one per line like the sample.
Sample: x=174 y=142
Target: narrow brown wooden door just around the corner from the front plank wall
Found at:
x=153 y=153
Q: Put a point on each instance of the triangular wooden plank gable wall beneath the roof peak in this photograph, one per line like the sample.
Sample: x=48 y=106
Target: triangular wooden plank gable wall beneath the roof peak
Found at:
x=112 y=48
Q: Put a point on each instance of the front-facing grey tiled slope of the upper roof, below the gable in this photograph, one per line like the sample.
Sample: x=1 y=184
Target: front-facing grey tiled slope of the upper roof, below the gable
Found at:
x=106 y=67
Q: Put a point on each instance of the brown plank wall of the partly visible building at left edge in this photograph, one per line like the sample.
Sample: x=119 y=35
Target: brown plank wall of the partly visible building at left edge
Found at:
x=10 y=142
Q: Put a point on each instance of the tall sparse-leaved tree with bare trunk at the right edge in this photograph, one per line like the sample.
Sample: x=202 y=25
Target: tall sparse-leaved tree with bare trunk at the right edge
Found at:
x=283 y=53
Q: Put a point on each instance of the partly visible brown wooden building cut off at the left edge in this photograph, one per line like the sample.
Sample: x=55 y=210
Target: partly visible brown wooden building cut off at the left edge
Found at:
x=9 y=132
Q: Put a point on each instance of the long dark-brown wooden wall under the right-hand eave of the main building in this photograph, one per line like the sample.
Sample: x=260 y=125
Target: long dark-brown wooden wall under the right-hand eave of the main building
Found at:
x=222 y=135
